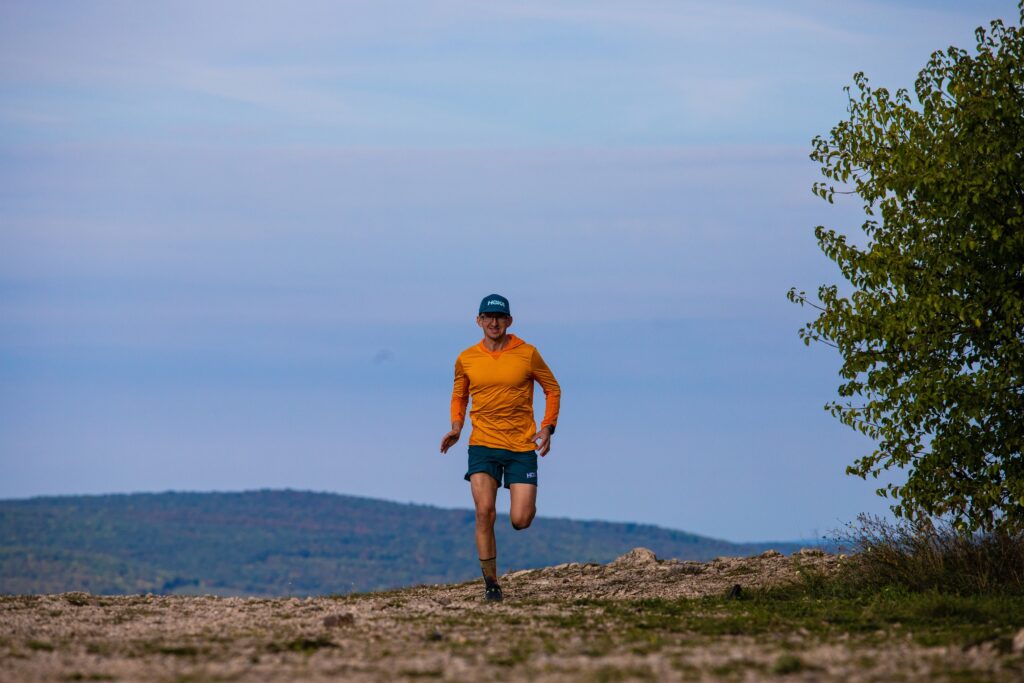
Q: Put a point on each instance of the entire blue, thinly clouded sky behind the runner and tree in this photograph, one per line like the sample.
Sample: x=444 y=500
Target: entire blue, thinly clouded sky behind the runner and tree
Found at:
x=242 y=244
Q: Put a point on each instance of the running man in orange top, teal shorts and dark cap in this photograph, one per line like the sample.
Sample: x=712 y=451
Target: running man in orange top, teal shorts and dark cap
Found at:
x=498 y=374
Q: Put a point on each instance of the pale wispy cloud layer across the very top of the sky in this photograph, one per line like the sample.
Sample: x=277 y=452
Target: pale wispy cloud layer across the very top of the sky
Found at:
x=445 y=74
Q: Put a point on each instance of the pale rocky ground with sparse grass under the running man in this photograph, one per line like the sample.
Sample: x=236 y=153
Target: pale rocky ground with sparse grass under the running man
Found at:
x=618 y=622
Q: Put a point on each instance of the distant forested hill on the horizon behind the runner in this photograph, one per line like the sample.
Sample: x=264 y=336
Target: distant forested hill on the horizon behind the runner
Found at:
x=273 y=543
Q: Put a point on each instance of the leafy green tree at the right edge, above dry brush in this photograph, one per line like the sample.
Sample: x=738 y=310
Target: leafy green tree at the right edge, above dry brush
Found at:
x=931 y=324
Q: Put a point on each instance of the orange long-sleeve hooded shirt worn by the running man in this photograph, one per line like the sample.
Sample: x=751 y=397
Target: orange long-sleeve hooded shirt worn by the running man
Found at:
x=501 y=385
